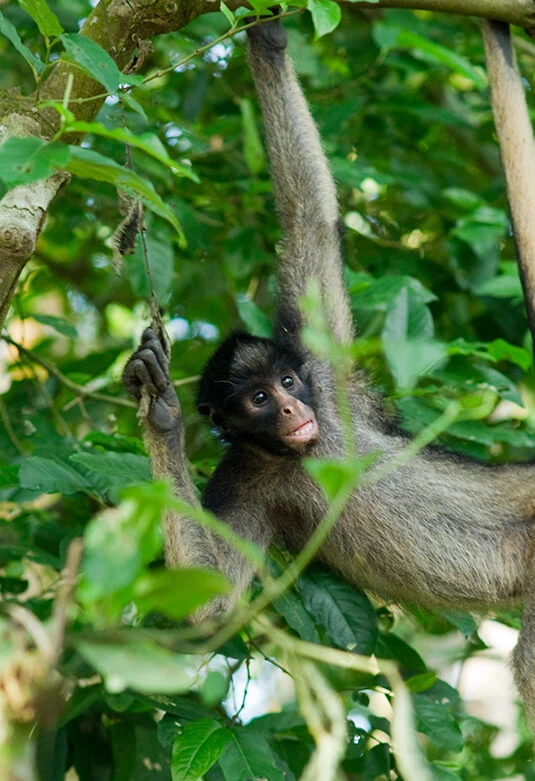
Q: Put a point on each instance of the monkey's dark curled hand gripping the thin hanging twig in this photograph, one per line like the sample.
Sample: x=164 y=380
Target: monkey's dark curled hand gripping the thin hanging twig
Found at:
x=148 y=369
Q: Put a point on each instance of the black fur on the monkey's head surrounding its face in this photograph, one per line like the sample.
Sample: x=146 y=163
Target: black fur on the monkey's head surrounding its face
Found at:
x=241 y=364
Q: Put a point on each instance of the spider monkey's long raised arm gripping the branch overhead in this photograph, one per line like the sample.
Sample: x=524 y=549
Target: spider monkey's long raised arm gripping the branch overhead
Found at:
x=305 y=193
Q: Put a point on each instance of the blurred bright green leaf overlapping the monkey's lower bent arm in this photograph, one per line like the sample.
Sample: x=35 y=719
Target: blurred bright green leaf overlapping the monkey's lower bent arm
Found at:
x=177 y=593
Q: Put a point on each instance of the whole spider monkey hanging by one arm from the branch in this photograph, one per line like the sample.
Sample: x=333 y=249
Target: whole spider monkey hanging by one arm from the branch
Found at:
x=442 y=531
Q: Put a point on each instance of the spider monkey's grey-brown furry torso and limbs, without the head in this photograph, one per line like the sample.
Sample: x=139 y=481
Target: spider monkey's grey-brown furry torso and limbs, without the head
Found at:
x=441 y=530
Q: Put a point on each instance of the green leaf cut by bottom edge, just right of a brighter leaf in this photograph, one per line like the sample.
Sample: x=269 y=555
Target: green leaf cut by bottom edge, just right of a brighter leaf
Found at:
x=247 y=757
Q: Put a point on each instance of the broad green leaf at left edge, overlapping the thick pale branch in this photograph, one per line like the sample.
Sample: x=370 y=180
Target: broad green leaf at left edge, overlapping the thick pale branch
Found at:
x=28 y=159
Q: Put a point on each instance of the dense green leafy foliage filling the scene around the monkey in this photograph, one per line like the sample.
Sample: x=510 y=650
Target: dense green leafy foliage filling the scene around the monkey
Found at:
x=402 y=104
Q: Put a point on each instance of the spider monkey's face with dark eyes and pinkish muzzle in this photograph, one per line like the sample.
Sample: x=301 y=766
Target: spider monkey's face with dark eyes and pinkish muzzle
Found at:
x=277 y=411
